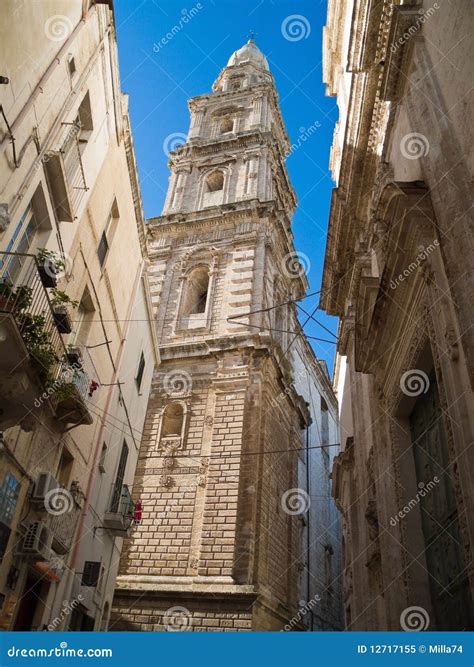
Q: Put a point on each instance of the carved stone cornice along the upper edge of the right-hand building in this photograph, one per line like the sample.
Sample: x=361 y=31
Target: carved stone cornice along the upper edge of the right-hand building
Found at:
x=367 y=127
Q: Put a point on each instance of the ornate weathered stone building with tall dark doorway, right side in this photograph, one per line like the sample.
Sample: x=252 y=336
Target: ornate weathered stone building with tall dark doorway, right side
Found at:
x=399 y=274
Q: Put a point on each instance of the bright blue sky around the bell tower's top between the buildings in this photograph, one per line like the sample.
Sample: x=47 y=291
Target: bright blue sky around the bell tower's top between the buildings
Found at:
x=160 y=78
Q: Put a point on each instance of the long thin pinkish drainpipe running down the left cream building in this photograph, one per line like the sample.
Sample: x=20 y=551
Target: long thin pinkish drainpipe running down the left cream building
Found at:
x=92 y=474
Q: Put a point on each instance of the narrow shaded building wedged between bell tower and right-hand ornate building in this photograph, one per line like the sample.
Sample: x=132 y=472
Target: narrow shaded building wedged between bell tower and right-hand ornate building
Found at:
x=320 y=586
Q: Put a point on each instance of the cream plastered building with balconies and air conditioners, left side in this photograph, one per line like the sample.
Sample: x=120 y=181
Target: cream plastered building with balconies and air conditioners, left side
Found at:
x=77 y=350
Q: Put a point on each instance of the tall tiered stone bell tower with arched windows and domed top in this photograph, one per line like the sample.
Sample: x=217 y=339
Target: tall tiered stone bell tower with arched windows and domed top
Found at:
x=218 y=546
